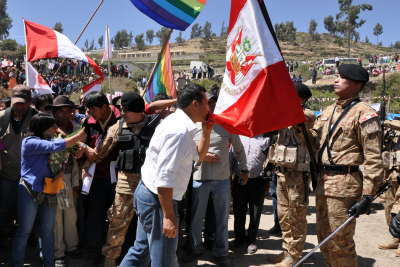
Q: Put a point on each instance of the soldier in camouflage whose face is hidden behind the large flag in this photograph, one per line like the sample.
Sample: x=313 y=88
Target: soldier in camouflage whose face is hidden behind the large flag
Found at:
x=293 y=164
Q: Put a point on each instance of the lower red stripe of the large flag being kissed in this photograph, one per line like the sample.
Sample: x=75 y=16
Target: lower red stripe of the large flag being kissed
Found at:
x=270 y=103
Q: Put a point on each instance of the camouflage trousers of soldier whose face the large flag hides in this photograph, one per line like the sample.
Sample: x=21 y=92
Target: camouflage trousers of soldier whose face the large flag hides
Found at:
x=292 y=208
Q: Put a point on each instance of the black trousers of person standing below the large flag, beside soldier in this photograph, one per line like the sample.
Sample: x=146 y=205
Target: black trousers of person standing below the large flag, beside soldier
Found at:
x=247 y=197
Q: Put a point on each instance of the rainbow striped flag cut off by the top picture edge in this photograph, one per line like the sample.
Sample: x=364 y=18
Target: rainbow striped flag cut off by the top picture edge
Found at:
x=174 y=14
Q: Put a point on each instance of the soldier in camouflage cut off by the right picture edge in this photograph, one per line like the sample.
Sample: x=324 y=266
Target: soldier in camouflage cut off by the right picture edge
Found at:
x=391 y=163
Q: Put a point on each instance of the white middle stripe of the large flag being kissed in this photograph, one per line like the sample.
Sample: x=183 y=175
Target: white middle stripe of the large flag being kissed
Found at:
x=255 y=29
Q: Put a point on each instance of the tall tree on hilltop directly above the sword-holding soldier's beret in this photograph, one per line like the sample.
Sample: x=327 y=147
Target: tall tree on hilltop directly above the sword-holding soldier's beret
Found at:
x=348 y=19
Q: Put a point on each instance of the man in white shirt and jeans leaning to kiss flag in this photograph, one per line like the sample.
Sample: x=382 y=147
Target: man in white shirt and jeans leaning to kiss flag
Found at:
x=165 y=176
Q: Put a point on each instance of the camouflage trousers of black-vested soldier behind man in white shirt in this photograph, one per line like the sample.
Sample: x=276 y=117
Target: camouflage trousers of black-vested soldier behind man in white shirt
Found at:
x=120 y=216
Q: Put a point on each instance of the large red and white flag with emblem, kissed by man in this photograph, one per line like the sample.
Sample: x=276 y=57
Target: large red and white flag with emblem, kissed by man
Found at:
x=257 y=94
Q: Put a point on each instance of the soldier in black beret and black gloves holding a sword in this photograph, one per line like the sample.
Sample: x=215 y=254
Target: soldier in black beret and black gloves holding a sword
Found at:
x=348 y=135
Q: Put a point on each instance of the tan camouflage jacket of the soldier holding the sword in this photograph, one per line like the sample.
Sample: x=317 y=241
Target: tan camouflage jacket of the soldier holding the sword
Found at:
x=355 y=141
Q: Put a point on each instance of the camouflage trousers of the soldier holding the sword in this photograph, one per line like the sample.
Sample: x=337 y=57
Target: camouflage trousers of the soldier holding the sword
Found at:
x=340 y=250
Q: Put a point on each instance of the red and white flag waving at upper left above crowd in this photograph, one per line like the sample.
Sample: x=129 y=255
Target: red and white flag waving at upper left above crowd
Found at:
x=43 y=42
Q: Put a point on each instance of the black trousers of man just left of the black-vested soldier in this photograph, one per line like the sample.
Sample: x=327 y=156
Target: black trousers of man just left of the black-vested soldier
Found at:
x=101 y=196
